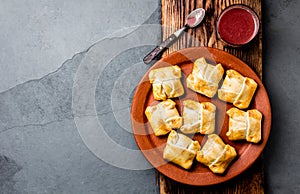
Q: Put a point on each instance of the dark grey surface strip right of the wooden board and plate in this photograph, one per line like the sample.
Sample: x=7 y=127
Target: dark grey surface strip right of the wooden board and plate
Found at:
x=281 y=77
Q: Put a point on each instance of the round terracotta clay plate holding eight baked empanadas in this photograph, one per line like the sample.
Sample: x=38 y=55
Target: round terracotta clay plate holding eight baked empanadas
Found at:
x=152 y=146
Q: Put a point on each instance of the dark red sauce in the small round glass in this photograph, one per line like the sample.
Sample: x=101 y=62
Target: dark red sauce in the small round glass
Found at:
x=236 y=26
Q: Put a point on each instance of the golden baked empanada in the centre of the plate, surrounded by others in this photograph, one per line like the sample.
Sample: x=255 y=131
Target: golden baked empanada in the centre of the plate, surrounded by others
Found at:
x=198 y=117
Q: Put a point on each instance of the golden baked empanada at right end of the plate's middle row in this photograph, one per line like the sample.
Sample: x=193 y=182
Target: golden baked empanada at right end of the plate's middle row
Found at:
x=244 y=125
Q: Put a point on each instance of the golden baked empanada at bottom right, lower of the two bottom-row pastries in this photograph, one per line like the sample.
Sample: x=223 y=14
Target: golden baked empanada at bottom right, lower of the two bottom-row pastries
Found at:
x=215 y=154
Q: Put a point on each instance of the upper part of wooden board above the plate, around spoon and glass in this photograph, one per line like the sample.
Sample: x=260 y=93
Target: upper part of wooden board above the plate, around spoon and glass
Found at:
x=173 y=17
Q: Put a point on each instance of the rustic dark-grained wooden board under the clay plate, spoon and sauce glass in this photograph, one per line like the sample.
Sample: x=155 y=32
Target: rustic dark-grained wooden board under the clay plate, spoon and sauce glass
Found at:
x=173 y=17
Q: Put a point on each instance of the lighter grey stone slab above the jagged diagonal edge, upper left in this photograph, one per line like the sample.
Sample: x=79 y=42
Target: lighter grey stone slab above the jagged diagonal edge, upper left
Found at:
x=37 y=36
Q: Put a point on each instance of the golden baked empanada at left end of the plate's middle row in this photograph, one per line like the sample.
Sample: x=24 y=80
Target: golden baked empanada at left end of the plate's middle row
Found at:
x=163 y=117
